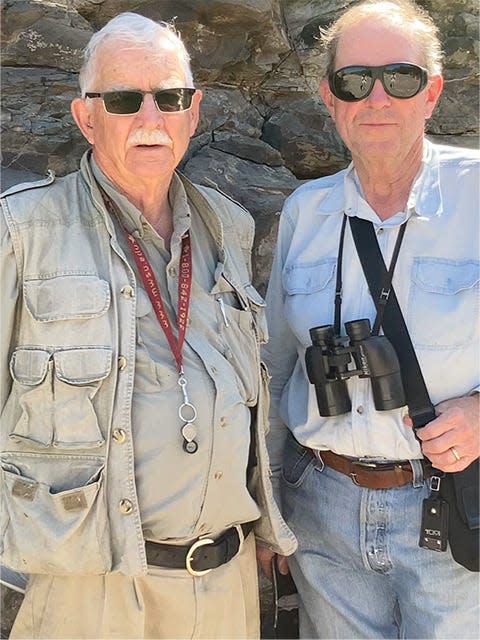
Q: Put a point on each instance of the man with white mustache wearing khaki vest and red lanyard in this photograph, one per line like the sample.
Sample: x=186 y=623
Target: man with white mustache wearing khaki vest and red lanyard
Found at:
x=134 y=402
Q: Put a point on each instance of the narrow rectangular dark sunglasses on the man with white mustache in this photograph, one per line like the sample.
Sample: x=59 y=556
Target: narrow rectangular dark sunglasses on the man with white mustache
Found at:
x=126 y=102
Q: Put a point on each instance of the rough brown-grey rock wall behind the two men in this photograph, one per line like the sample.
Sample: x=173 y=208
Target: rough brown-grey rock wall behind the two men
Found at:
x=263 y=128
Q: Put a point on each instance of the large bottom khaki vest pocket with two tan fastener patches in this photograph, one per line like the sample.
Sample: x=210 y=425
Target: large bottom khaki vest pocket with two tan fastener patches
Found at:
x=53 y=516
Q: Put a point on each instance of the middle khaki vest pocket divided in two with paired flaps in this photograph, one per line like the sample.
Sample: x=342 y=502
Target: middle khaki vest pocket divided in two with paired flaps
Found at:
x=55 y=391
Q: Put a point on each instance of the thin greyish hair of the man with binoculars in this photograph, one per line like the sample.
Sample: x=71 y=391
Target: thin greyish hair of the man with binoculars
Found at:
x=408 y=17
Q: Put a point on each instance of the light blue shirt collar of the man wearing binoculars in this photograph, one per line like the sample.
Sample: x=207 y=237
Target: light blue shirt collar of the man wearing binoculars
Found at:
x=425 y=198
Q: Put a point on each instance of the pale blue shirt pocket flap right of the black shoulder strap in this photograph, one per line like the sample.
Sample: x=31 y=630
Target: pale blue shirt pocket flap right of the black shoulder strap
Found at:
x=446 y=277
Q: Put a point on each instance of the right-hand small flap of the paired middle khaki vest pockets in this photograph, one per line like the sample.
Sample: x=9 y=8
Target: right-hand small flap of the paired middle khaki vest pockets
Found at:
x=83 y=365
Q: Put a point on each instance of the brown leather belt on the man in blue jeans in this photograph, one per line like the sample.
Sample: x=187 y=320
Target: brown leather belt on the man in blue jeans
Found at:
x=372 y=475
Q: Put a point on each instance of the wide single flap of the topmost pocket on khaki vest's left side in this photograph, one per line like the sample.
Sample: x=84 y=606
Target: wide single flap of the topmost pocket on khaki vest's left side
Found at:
x=66 y=297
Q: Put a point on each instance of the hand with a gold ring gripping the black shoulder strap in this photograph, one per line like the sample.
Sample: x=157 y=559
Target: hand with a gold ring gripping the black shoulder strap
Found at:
x=451 y=441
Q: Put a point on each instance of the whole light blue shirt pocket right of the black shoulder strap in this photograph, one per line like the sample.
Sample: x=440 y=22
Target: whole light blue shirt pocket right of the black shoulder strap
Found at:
x=448 y=291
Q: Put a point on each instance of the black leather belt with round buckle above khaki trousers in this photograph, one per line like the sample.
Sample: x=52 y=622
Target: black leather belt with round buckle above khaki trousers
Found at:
x=201 y=556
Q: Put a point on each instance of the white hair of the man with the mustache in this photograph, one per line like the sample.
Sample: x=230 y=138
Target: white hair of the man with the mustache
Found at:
x=139 y=31
